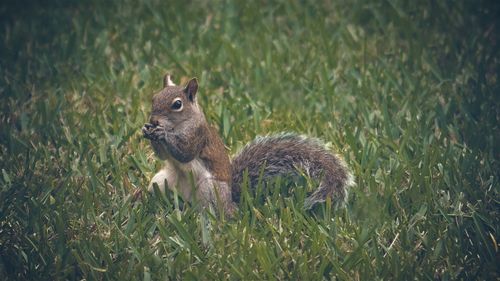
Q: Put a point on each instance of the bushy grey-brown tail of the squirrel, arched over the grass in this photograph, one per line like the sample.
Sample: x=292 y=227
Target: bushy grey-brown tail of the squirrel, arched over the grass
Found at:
x=287 y=154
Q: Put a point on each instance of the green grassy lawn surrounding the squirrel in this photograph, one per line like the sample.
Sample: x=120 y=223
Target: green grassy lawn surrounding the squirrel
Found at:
x=407 y=92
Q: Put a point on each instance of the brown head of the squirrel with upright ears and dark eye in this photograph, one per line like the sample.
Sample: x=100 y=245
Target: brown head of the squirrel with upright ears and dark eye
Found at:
x=174 y=105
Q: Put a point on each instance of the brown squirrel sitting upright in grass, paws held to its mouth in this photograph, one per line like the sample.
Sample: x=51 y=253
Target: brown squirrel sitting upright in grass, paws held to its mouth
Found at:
x=196 y=162
